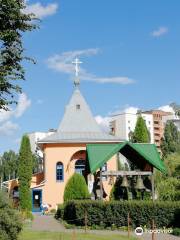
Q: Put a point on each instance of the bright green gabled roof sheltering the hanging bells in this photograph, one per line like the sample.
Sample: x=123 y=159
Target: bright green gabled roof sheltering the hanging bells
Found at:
x=99 y=154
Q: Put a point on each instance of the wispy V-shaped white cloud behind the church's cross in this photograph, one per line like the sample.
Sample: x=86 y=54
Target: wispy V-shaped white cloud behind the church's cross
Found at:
x=63 y=63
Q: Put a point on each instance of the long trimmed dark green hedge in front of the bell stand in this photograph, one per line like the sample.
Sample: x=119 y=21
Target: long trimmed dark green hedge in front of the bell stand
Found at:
x=165 y=214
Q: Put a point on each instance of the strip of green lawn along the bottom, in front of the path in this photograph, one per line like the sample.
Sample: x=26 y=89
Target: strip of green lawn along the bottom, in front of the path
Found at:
x=27 y=235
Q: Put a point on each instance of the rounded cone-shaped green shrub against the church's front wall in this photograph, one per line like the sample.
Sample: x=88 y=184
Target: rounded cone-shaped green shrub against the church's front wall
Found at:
x=76 y=188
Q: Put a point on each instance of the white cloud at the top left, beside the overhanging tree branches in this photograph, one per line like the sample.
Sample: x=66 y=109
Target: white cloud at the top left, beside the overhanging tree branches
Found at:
x=41 y=11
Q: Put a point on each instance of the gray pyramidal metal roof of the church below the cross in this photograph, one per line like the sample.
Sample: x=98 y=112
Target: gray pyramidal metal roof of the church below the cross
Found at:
x=78 y=124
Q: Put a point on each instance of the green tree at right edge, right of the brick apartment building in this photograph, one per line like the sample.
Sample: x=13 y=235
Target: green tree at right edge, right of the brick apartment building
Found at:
x=171 y=141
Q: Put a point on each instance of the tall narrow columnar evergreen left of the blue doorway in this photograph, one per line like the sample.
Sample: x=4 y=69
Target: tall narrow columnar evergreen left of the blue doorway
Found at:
x=25 y=173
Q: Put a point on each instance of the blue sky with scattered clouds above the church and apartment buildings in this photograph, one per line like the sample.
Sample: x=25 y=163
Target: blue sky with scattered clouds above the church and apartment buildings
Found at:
x=130 y=52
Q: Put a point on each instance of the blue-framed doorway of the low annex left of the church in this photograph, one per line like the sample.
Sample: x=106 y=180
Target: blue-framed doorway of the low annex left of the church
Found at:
x=36 y=200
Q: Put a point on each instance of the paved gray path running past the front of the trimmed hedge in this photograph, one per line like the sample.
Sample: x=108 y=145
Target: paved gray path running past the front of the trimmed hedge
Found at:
x=50 y=224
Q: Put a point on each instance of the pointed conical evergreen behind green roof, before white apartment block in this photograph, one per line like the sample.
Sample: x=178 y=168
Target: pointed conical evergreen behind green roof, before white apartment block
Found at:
x=141 y=134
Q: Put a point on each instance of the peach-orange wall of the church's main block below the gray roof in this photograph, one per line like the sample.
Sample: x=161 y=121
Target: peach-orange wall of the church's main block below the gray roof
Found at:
x=53 y=191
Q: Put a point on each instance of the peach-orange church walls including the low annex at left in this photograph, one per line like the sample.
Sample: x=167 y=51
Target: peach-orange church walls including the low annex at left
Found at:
x=52 y=190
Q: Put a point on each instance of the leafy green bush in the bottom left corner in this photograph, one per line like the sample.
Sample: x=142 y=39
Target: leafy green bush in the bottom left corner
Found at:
x=10 y=220
